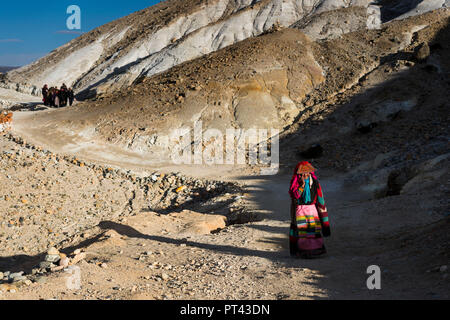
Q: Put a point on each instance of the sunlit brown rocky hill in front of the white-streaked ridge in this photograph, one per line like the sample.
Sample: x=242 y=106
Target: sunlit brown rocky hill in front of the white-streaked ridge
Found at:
x=277 y=80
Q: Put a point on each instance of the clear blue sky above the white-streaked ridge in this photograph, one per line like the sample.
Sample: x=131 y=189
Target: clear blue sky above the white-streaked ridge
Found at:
x=31 y=29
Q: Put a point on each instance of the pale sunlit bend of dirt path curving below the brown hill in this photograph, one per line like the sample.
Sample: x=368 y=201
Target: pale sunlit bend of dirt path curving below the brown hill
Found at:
x=41 y=131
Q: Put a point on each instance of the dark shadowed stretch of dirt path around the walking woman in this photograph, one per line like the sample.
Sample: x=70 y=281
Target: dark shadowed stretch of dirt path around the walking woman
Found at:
x=363 y=234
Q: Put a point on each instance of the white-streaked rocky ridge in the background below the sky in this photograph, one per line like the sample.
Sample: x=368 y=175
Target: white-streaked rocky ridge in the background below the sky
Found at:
x=153 y=40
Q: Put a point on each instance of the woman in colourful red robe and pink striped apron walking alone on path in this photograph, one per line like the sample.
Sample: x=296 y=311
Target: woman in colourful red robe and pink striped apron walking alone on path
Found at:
x=309 y=217
